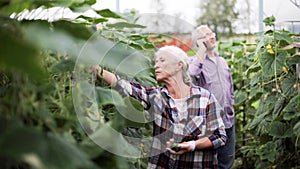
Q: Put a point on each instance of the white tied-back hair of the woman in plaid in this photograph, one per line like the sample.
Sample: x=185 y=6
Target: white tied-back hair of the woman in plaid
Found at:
x=179 y=55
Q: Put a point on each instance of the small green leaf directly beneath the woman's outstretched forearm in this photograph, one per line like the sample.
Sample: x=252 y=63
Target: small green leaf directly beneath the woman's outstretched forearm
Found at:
x=108 y=96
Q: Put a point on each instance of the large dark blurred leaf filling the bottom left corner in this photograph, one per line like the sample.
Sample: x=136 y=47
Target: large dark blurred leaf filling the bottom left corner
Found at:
x=40 y=150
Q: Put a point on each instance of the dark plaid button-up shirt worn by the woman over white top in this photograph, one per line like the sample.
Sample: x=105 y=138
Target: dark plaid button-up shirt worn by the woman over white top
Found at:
x=203 y=120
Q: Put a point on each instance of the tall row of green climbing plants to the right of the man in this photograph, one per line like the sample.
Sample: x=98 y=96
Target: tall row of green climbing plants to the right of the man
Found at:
x=266 y=78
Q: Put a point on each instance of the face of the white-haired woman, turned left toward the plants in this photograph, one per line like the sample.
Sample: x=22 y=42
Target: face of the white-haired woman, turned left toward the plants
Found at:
x=165 y=67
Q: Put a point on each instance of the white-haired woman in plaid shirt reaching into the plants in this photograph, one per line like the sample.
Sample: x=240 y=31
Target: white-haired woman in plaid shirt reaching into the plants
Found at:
x=182 y=113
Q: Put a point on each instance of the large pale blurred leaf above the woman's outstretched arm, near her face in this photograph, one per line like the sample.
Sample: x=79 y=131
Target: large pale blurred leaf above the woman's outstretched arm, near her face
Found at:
x=120 y=58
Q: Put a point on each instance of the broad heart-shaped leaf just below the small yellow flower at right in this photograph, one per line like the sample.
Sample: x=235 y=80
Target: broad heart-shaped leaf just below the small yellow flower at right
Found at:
x=272 y=63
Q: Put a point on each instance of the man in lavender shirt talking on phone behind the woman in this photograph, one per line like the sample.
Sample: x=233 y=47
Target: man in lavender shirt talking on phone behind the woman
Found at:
x=211 y=71
